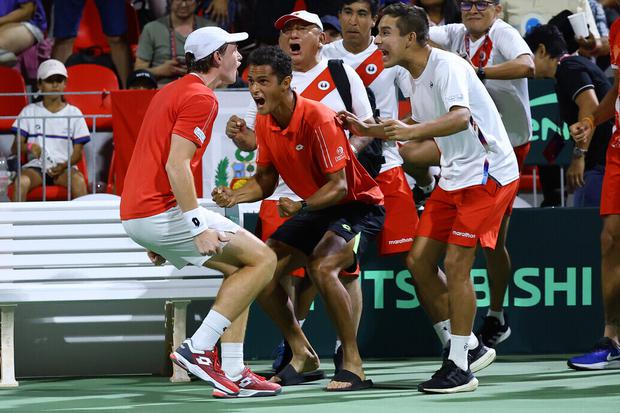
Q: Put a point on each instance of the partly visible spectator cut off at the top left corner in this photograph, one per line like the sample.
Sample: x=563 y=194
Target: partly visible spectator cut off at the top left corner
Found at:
x=22 y=24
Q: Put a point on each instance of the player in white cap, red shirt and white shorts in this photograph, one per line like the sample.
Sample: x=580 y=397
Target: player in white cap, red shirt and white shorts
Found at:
x=159 y=209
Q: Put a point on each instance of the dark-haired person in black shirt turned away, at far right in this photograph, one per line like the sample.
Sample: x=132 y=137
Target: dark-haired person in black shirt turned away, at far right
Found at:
x=580 y=86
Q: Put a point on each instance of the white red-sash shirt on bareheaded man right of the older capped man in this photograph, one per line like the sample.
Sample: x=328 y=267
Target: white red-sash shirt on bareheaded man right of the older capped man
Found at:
x=383 y=81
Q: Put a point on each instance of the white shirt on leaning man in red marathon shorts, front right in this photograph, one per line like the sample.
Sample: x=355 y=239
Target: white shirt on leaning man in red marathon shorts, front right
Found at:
x=482 y=150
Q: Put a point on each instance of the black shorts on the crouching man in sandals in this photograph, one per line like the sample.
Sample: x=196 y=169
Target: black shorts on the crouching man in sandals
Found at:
x=305 y=230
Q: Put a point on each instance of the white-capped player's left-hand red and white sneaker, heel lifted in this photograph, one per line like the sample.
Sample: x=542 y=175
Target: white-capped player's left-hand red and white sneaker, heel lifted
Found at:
x=204 y=365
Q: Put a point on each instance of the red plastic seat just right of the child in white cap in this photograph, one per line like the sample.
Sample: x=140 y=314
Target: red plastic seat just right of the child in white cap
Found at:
x=92 y=78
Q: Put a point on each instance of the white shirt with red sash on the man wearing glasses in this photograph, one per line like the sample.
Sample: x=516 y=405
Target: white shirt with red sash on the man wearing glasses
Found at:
x=502 y=43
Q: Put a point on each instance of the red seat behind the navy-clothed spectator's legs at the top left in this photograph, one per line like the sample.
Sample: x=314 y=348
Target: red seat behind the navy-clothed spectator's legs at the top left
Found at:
x=90 y=33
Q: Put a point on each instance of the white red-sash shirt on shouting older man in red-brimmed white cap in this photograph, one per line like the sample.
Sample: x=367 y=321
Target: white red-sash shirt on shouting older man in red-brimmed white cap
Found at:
x=316 y=84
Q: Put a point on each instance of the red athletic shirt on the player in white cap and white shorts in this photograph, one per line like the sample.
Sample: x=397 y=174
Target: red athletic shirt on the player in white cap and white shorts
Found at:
x=185 y=107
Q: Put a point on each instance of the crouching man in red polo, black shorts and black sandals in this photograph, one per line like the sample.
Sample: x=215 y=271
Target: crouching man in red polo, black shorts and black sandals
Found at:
x=303 y=142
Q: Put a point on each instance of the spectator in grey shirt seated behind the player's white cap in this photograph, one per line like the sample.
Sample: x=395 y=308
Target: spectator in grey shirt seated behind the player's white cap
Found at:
x=161 y=45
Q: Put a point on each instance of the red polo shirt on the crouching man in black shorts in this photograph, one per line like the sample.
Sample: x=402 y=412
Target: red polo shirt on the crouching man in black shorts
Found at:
x=312 y=146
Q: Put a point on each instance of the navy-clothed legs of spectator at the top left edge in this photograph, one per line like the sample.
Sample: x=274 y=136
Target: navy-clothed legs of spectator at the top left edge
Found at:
x=67 y=15
